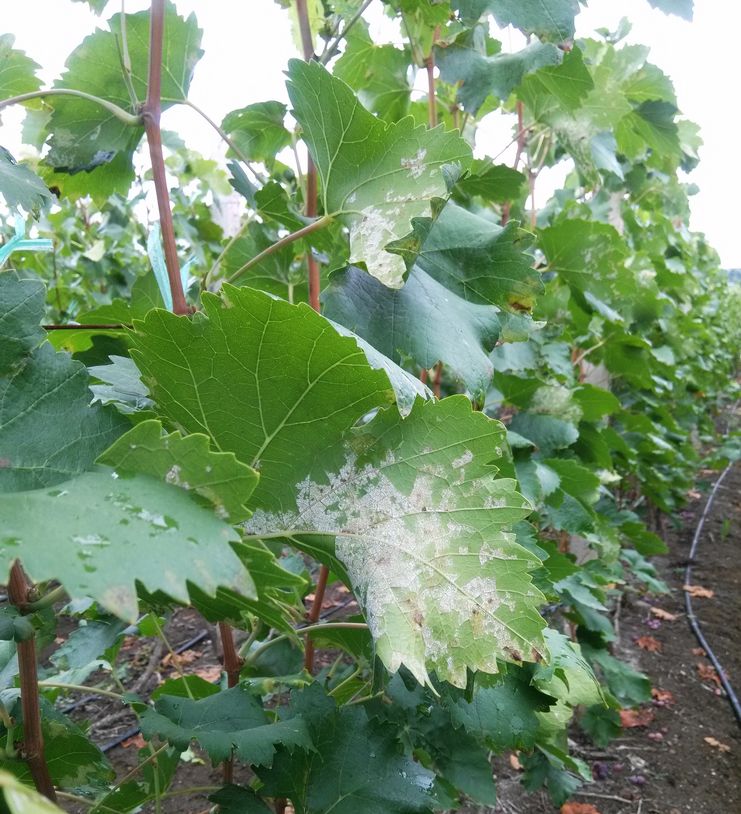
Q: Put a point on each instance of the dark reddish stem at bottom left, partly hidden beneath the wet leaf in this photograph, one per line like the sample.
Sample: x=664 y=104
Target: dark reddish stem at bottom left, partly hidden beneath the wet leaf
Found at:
x=33 y=739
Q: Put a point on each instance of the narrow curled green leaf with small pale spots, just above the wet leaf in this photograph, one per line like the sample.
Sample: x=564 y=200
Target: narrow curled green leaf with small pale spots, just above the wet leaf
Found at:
x=188 y=462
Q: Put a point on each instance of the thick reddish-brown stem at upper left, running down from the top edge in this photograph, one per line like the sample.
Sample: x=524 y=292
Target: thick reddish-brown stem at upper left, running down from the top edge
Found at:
x=151 y=113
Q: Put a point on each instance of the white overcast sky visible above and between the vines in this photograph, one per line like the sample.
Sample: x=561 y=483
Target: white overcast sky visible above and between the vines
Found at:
x=248 y=42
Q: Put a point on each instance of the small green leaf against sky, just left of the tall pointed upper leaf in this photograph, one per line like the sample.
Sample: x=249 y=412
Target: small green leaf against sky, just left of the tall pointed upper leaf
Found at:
x=258 y=130
